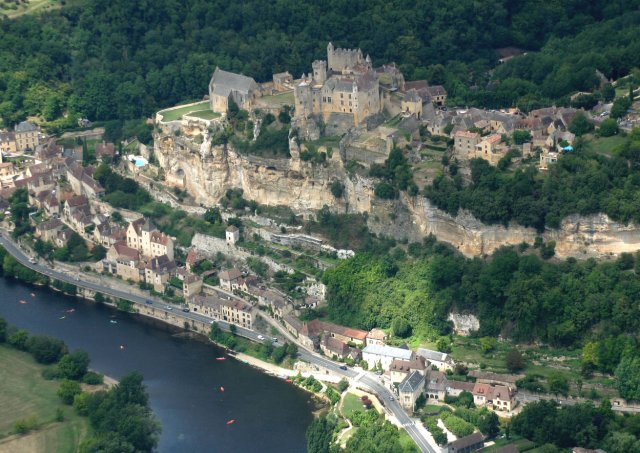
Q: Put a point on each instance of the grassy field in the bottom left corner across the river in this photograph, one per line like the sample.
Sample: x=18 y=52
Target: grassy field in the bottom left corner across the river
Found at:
x=23 y=394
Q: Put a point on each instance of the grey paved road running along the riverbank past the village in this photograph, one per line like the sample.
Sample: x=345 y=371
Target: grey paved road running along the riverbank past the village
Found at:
x=369 y=379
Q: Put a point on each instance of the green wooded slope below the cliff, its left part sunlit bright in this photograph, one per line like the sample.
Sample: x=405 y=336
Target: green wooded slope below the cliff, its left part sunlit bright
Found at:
x=514 y=293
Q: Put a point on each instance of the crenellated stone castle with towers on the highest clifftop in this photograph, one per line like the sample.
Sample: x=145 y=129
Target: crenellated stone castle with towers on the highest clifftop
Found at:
x=344 y=84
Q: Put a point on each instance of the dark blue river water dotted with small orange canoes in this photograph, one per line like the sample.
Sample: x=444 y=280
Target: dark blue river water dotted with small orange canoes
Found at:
x=182 y=376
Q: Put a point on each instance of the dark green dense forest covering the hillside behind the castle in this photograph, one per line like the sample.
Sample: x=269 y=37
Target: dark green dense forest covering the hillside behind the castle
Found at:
x=120 y=60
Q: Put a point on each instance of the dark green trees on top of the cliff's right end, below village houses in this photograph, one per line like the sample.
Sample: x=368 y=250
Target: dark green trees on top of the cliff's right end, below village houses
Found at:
x=583 y=182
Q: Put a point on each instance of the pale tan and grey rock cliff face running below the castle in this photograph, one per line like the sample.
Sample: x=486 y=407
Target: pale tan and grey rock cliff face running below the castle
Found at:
x=208 y=171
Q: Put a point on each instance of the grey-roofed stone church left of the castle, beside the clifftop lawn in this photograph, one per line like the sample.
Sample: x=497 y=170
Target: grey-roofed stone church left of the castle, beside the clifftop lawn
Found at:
x=226 y=85
